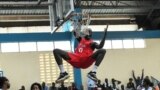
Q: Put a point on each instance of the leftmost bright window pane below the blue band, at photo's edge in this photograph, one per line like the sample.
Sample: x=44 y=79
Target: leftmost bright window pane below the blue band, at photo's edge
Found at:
x=9 y=47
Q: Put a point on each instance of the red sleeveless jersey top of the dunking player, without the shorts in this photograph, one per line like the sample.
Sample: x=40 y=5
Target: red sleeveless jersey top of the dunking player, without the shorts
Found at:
x=84 y=48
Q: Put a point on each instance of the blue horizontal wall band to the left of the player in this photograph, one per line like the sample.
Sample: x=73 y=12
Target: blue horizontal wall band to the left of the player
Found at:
x=26 y=37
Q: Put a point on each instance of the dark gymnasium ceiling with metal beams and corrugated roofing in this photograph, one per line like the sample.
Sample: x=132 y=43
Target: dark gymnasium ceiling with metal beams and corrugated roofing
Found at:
x=35 y=12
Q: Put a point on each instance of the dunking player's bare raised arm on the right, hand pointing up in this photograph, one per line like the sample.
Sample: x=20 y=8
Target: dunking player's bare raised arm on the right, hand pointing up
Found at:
x=99 y=46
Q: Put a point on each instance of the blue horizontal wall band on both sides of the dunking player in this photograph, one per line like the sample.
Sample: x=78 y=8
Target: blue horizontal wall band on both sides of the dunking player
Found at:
x=59 y=36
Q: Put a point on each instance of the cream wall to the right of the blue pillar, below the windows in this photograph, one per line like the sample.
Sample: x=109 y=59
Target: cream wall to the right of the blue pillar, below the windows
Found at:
x=118 y=64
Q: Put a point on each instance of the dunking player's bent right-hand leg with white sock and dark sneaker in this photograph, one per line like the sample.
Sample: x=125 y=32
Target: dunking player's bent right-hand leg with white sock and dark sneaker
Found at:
x=98 y=57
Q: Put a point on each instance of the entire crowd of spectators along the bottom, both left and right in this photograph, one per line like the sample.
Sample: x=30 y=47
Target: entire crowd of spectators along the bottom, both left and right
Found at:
x=134 y=83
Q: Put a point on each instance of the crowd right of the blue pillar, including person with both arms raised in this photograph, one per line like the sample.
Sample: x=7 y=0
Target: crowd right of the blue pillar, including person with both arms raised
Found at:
x=135 y=83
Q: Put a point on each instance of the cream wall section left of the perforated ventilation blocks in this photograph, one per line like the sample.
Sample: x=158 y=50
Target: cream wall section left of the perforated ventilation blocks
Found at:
x=20 y=68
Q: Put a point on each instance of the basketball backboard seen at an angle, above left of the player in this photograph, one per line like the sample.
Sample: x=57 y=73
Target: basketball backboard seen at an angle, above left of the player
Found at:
x=60 y=10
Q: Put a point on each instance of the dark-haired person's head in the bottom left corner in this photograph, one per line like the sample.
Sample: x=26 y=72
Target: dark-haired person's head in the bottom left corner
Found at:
x=4 y=83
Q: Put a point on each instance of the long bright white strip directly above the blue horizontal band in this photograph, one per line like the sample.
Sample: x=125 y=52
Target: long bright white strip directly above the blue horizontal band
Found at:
x=33 y=29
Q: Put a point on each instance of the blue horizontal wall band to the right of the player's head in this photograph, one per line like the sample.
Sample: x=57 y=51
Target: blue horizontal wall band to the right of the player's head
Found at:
x=127 y=34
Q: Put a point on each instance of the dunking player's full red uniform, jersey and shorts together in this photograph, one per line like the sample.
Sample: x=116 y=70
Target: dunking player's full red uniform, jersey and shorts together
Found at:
x=82 y=56
